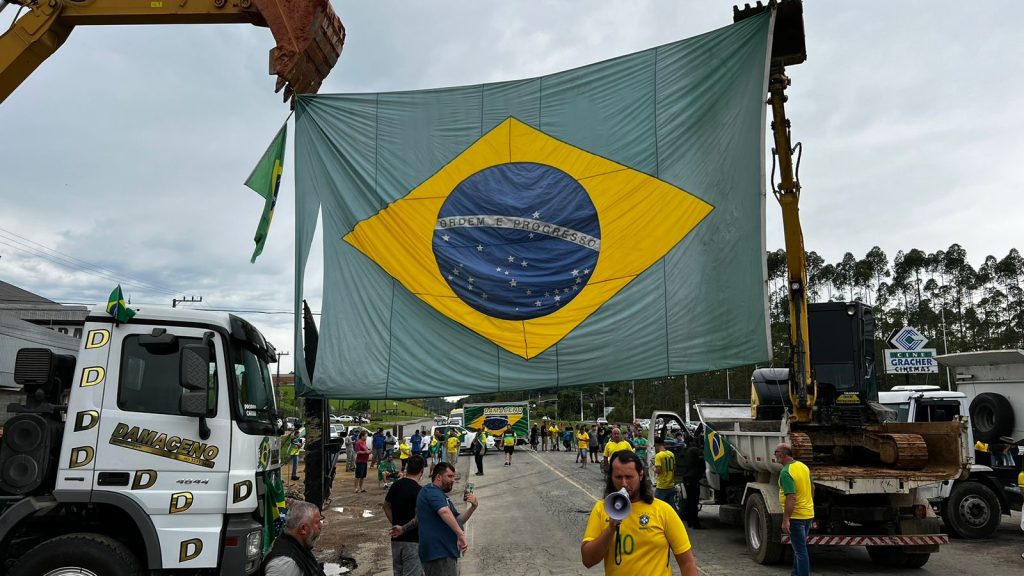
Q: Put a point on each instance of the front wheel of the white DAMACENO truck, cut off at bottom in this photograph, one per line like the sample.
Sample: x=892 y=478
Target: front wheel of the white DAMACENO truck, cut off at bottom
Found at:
x=78 y=554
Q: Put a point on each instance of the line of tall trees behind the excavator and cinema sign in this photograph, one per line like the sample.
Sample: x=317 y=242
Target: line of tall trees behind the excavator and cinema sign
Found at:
x=958 y=307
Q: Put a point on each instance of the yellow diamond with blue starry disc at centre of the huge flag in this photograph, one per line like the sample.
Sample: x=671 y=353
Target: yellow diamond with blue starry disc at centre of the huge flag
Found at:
x=522 y=237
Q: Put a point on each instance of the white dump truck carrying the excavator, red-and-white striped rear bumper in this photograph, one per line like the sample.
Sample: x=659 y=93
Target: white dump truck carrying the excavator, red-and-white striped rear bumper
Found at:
x=865 y=505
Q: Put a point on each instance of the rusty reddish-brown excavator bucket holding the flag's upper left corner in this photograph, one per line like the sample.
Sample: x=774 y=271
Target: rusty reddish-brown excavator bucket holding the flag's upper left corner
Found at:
x=310 y=39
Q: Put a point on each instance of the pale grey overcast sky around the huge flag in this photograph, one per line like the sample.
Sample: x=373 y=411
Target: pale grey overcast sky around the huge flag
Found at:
x=127 y=149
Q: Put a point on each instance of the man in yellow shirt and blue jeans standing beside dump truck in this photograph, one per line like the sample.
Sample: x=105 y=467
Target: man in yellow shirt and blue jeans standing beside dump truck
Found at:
x=796 y=493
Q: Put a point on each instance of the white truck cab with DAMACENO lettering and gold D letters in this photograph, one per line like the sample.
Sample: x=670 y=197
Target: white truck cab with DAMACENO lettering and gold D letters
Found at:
x=157 y=441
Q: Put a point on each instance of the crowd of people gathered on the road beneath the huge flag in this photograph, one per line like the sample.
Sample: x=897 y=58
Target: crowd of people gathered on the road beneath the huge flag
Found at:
x=636 y=544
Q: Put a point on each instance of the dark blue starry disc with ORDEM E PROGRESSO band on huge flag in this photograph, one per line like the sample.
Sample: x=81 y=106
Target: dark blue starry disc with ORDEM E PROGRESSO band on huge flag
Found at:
x=518 y=241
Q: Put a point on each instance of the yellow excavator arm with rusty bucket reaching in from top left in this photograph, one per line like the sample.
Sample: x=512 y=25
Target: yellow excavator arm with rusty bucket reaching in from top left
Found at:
x=309 y=34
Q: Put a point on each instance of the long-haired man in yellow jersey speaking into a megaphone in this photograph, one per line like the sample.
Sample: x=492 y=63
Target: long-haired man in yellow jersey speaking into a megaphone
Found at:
x=631 y=530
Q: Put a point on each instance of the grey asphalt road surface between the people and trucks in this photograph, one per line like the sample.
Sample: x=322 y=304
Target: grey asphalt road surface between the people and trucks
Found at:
x=533 y=516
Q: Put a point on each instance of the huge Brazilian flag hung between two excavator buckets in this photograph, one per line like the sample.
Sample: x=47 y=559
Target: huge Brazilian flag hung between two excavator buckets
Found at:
x=598 y=225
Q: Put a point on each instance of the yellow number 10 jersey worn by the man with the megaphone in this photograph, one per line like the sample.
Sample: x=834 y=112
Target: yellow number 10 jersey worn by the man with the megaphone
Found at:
x=646 y=540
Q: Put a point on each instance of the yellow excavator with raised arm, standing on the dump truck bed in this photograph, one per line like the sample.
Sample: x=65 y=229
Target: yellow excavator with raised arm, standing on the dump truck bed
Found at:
x=829 y=388
